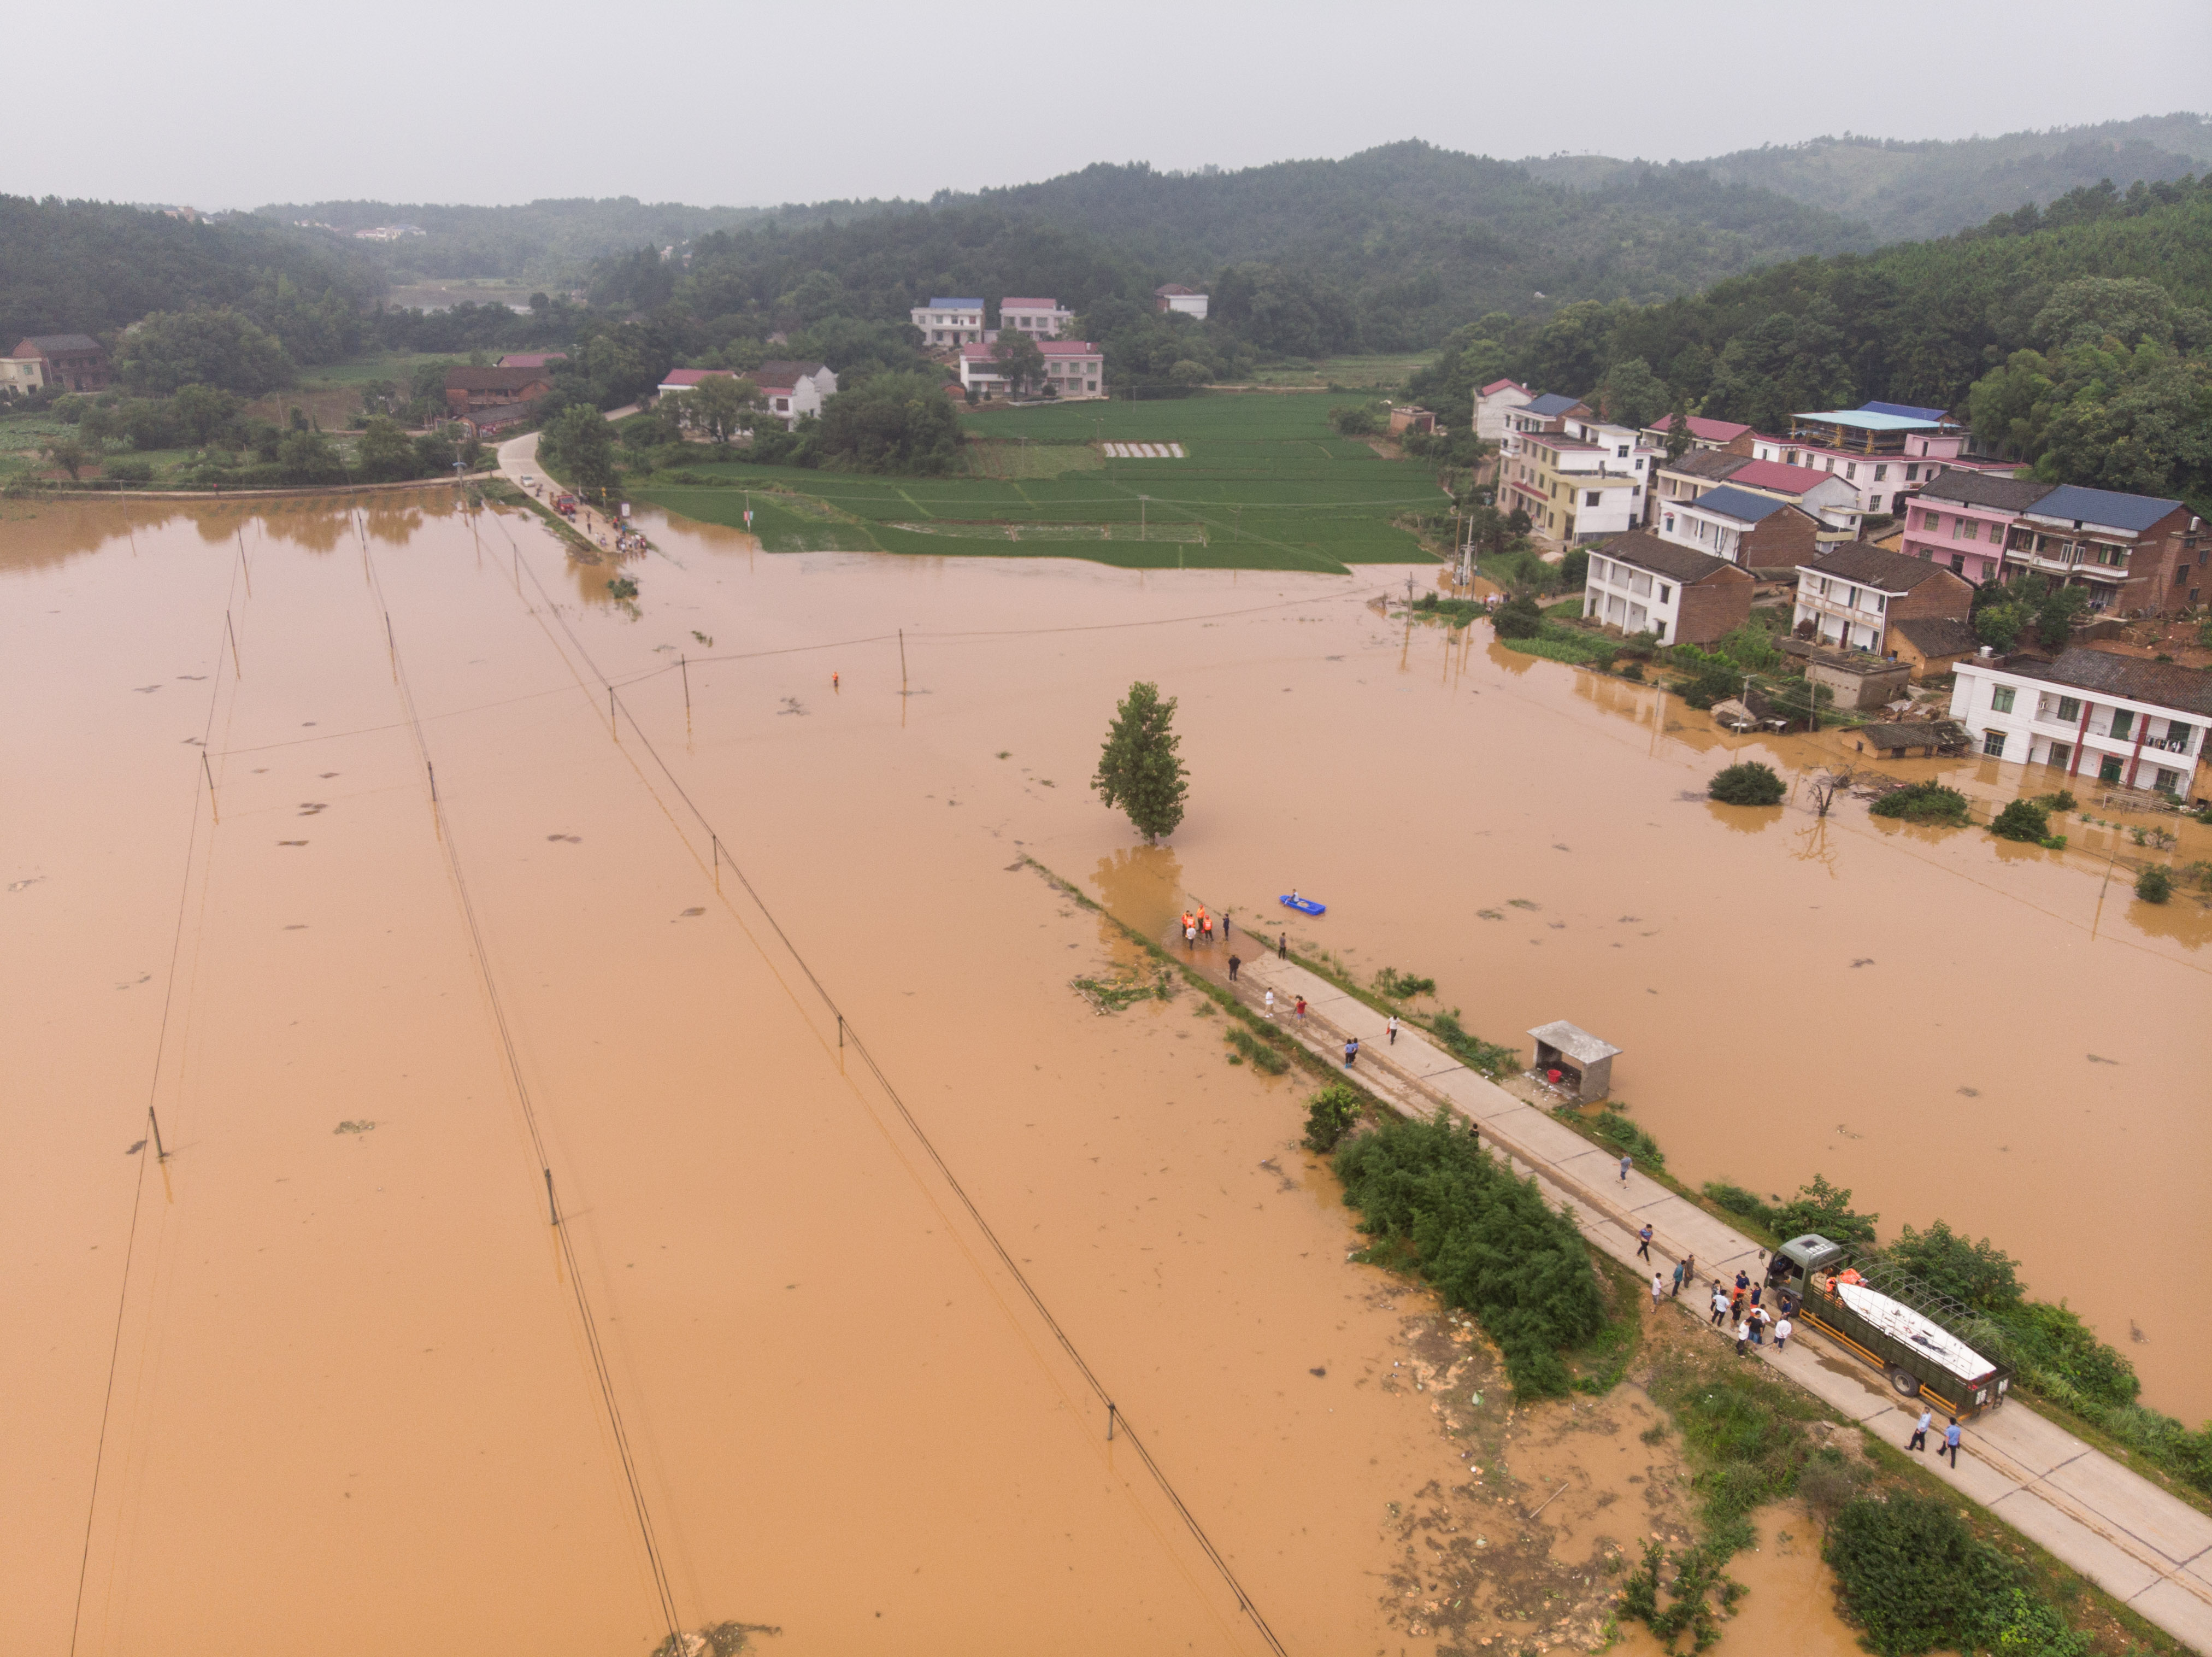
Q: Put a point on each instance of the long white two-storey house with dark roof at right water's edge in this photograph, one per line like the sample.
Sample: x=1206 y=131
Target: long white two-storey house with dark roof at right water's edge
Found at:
x=2091 y=713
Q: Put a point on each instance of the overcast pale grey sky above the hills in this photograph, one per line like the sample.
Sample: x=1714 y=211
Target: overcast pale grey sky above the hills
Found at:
x=417 y=101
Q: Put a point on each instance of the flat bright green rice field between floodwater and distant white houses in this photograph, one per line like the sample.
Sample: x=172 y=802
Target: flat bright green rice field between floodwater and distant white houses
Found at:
x=1264 y=483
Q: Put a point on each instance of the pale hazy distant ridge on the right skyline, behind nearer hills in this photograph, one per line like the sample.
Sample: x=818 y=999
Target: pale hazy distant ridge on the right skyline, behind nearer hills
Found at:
x=1914 y=191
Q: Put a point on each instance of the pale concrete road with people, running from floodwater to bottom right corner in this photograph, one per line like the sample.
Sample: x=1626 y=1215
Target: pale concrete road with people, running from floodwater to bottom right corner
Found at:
x=2116 y=1528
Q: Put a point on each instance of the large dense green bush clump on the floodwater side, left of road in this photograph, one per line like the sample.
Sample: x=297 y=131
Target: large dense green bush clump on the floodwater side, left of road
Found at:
x=1483 y=1238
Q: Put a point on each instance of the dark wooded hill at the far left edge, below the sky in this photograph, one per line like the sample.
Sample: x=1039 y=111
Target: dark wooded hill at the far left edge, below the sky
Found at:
x=94 y=267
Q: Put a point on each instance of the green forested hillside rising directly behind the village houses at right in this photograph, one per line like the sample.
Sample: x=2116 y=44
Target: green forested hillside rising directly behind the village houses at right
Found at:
x=2078 y=337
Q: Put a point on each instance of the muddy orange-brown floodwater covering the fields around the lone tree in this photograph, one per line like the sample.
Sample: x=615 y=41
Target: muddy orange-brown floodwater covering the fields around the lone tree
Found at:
x=328 y=848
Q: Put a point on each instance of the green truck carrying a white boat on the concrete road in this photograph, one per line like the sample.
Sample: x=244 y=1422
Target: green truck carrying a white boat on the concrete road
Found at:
x=1890 y=1320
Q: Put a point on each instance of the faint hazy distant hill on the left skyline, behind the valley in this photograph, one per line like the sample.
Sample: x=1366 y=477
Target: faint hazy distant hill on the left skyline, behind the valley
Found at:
x=543 y=242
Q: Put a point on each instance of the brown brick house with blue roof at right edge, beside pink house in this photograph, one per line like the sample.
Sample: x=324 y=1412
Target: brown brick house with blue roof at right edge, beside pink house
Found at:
x=2136 y=554
